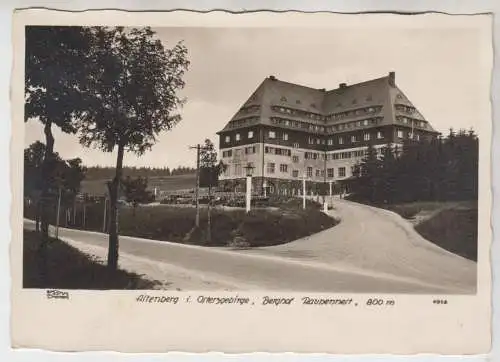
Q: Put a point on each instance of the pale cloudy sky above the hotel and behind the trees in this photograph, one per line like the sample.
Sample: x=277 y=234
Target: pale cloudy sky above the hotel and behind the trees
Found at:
x=440 y=69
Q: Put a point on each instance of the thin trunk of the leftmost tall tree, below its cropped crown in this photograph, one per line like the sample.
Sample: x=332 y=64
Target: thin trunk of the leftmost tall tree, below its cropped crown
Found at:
x=47 y=164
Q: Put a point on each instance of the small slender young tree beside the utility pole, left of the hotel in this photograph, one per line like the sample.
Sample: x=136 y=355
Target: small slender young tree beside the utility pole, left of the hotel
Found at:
x=211 y=170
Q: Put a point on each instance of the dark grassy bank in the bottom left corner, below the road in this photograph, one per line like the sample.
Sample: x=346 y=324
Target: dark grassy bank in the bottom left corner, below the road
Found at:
x=61 y=266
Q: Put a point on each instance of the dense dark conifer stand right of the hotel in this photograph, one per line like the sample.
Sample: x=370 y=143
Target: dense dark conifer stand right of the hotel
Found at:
x=440 y=169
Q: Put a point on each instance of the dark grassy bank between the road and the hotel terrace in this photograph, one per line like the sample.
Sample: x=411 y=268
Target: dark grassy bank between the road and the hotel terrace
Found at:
x=260 y=227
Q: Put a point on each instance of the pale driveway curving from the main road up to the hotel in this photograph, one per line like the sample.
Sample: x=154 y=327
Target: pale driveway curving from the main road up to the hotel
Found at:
x=382 y=243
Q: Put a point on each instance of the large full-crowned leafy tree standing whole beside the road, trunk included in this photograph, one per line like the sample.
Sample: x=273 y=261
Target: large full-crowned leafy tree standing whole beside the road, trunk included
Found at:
x=135 y=89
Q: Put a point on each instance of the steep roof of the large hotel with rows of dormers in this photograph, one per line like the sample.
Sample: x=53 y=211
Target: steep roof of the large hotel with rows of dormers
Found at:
x=380 y=92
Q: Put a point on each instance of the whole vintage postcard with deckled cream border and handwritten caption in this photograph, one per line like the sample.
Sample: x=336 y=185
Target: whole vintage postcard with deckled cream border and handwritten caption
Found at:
x=276 y=182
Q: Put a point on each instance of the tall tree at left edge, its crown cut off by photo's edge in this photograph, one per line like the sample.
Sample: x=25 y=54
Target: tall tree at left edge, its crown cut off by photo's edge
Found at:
x=55 y=73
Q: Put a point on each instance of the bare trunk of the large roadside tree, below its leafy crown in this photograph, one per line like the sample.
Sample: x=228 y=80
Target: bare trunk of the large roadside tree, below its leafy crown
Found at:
x=113 y=187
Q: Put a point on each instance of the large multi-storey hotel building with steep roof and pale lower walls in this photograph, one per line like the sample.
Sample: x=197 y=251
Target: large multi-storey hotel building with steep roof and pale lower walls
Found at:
x=286 y=132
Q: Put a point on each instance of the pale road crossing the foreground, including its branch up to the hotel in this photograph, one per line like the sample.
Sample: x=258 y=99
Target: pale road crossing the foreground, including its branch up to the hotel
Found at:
x=370 y=251
